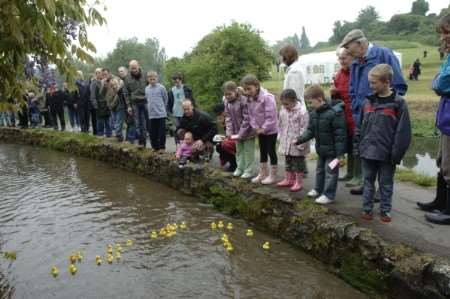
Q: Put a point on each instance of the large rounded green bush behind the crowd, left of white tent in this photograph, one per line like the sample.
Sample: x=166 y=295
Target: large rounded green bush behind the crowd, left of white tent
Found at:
x=227 y=53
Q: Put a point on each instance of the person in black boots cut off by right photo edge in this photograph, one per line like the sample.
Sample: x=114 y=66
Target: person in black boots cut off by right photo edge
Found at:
x=441 y=85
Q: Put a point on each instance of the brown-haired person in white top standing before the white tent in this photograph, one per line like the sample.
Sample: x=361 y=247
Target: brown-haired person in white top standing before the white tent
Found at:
x=294 y=78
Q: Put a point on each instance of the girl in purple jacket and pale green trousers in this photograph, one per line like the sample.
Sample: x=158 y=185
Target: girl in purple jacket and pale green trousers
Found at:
x=237 y=127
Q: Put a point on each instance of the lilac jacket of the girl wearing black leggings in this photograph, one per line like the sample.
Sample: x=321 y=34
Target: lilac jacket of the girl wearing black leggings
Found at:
x=263 y=112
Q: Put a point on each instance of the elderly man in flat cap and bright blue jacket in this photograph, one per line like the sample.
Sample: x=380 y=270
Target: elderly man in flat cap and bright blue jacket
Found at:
x=366 y=56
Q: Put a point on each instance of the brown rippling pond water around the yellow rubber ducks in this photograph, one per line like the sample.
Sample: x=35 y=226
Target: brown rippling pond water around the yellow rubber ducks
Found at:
x=53 y=204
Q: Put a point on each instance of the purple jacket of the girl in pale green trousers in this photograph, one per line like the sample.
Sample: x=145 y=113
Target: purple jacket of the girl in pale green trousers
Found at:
x=237 y=120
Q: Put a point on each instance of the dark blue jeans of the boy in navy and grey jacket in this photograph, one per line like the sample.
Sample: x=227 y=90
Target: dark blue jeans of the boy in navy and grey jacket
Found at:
x=385 y=172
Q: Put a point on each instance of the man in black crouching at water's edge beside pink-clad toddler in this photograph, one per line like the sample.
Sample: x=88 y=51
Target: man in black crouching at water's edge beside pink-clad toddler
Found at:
x=201 y=126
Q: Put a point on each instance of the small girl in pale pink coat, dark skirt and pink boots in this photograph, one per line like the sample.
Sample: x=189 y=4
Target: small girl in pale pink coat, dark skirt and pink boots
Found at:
x=293 y=121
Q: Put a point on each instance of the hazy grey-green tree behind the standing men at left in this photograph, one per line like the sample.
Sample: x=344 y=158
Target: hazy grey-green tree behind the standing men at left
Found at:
x=149 y=54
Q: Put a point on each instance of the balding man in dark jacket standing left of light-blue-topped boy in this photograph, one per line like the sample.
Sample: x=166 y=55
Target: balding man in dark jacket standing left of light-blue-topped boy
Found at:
x=134 y=92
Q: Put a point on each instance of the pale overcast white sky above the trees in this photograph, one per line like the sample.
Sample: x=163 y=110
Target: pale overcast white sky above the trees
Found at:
x=179 y=25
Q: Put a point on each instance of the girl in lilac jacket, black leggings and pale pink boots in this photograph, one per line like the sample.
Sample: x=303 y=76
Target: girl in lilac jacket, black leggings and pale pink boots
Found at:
x=262 y=111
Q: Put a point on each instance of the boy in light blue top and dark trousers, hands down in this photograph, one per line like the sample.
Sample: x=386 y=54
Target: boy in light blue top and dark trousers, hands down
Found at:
x=157 y=99
